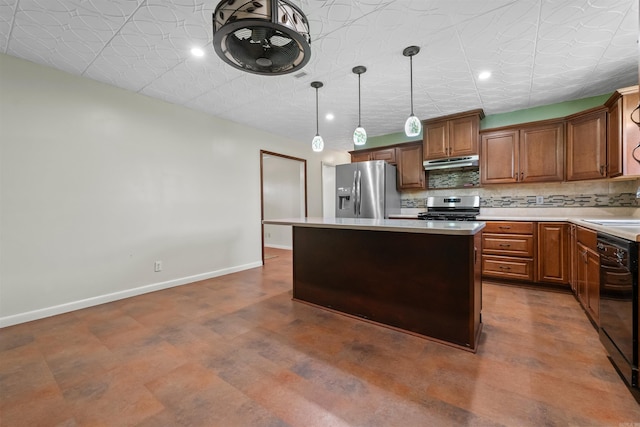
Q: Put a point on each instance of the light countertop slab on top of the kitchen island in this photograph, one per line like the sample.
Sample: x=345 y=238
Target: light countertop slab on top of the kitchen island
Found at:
x=458 y=228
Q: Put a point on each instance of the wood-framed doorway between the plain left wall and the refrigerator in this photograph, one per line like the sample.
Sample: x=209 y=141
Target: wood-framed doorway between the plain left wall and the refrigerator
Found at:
x=283 y=194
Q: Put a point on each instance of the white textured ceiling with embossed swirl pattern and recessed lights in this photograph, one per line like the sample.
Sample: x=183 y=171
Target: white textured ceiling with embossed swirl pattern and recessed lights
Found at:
x=539 y=51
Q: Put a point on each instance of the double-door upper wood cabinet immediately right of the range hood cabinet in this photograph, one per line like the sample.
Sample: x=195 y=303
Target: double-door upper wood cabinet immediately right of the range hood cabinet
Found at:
x=534 y=153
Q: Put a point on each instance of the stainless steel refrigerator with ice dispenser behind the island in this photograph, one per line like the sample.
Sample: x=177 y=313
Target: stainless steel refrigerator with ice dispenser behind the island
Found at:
x=366 y=190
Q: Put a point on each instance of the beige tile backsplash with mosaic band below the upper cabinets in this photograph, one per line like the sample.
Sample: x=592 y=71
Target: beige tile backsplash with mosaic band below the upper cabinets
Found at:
x=583 y=194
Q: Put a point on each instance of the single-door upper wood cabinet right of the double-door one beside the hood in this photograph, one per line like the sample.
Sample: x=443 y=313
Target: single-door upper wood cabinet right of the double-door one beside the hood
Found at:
x=587 y=145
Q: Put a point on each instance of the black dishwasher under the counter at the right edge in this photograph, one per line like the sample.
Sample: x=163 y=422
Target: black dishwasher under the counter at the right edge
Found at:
x=619 y=304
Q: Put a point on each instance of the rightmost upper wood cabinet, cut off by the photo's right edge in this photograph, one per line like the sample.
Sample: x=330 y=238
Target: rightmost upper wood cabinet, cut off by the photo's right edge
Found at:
x=623 y=135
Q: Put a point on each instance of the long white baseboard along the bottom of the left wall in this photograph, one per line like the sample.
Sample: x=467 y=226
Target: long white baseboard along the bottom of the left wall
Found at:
x=102 y=299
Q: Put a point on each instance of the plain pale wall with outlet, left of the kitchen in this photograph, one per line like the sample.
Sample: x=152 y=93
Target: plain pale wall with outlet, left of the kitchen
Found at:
x=96 y=183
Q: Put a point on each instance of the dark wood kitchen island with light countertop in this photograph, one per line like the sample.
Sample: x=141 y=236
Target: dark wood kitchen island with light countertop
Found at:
x=421 y=277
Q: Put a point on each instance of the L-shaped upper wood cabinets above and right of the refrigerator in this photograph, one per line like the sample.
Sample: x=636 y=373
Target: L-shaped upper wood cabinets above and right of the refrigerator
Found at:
x=408 y=160
